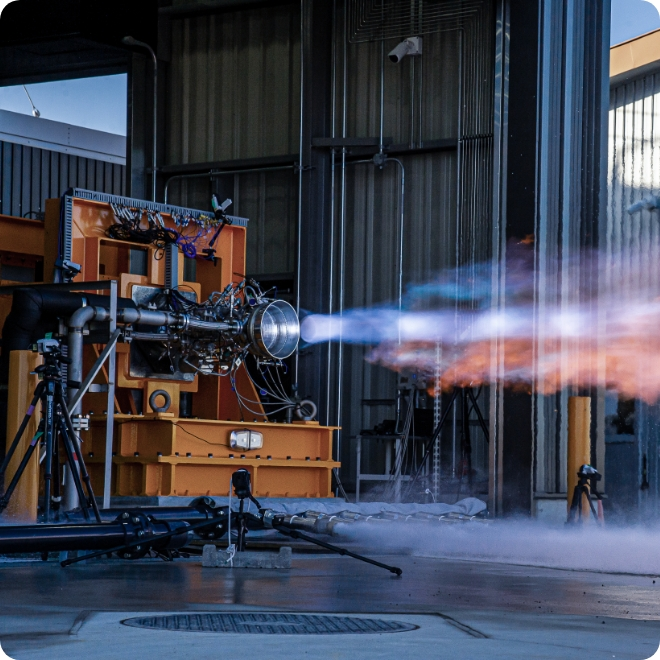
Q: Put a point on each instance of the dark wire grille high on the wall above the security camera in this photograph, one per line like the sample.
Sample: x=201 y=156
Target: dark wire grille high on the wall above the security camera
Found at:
x=373 y=20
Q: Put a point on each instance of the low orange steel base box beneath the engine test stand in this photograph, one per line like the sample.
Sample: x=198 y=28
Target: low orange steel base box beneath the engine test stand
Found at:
x=164 y=455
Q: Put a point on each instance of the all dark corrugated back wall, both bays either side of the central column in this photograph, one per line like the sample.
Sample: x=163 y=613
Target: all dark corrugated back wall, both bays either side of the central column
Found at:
x=234 y=94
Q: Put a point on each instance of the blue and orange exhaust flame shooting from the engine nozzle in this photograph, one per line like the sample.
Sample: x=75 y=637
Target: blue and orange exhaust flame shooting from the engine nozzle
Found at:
x=592 y=319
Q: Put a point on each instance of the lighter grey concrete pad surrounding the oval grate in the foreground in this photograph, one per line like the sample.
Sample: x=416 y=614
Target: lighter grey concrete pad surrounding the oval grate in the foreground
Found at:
x=102 y=635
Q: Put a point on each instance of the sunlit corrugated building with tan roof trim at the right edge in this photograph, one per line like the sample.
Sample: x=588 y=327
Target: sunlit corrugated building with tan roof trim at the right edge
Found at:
x=633 y=433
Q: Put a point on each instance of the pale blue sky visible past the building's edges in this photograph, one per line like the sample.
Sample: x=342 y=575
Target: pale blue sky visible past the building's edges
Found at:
x=100 y=103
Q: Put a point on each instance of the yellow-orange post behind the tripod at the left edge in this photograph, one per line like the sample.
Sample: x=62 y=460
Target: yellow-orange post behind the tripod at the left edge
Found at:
x=23 y=504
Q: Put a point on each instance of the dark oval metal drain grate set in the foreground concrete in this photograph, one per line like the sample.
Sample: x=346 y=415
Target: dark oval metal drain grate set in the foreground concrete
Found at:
x=263 y=623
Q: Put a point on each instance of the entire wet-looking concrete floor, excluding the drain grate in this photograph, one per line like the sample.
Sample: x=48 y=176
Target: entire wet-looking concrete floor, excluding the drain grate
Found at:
x=463 y=610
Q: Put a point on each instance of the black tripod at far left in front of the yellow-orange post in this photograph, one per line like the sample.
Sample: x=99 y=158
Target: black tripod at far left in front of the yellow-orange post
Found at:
x=55 y=424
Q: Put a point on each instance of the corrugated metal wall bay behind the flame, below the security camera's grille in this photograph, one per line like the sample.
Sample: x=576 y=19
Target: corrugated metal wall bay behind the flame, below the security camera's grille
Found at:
x=445 y=93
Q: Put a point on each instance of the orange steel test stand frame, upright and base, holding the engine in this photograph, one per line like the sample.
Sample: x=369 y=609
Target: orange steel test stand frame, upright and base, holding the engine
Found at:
x=162 y=453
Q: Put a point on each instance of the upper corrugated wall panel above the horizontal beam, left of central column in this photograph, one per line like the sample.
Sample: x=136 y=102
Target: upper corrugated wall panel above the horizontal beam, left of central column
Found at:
x=234 y=87
